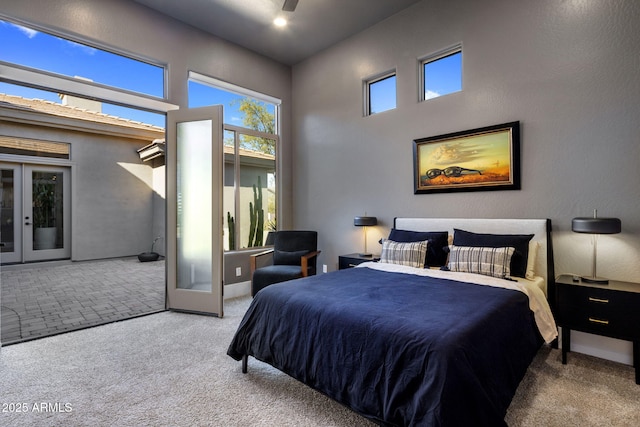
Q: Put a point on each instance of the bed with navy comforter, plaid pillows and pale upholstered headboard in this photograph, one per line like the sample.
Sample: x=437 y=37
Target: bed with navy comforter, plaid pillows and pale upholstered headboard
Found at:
x=420 y=338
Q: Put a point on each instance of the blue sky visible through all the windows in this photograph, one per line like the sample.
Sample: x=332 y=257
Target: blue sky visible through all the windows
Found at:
x=39 y=50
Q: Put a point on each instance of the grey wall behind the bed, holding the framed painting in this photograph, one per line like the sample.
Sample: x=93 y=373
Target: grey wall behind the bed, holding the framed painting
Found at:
x=567 y=70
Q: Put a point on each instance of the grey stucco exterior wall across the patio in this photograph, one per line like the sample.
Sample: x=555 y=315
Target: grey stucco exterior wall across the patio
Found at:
x=111 y=190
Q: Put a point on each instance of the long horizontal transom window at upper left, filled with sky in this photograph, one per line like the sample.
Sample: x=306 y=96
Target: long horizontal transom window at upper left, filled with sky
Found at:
x=38 y=50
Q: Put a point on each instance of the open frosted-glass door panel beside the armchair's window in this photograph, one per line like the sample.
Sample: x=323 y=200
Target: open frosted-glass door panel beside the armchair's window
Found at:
x=194 y=210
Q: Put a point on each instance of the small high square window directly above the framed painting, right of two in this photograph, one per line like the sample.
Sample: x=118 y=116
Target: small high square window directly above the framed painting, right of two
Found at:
x=442 y=73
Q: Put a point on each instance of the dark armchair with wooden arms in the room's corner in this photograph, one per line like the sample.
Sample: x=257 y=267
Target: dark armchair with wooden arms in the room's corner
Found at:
x=294 y=255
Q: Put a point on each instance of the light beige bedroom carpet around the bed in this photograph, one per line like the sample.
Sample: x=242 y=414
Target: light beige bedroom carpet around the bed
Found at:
x=171 y=369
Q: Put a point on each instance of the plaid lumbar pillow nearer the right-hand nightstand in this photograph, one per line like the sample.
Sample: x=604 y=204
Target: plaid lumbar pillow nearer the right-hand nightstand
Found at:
x=480 y=260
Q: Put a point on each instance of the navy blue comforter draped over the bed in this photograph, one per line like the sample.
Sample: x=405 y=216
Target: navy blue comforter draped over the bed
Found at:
x=398 y=349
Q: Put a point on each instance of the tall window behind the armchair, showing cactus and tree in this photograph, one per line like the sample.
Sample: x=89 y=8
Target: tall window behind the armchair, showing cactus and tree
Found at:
x=250 y=152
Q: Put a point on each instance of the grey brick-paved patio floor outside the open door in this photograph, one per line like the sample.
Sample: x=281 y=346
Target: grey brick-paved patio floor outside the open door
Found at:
x=49 y=298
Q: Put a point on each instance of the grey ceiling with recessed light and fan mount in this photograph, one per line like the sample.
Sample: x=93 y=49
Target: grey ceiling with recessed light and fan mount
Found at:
x=312 y=27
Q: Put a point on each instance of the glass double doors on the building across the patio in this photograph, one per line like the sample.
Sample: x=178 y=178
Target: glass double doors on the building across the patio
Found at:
x=35 y=205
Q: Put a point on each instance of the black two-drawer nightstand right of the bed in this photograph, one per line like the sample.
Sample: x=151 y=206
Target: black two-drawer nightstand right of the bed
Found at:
x=611 y=310
